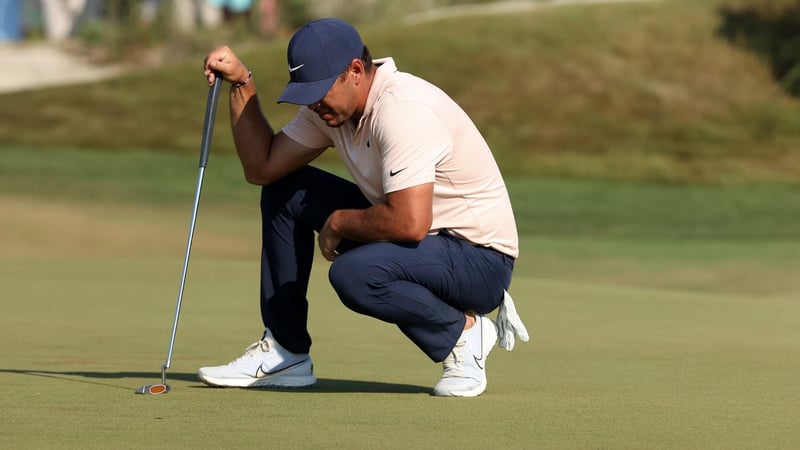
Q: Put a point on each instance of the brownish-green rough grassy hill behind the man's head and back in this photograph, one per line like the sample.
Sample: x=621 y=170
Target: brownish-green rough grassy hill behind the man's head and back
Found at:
x=628 y=91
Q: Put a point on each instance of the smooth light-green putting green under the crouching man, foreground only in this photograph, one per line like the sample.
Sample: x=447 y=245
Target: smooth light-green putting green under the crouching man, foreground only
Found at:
x=608 y=366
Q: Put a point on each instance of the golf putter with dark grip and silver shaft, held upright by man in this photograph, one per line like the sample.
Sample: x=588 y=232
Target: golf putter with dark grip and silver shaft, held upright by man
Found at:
x=205 y=147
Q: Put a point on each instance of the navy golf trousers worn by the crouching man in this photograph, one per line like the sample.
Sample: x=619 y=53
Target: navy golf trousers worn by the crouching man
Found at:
x=424 y=288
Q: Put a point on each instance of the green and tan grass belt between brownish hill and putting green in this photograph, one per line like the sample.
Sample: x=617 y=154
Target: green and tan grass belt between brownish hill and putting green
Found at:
x=732 y=239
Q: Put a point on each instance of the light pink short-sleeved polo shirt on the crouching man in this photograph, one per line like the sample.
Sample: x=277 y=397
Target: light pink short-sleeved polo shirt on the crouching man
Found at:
x=413 y=133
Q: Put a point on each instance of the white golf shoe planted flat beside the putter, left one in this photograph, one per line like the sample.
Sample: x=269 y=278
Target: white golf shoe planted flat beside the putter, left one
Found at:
x=264 y=364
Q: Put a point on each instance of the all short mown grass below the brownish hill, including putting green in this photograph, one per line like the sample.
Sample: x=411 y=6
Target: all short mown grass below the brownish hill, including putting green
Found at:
x=676 y=337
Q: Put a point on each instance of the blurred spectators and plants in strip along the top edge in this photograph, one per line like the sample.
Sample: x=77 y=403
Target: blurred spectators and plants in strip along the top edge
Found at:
x=62 y=19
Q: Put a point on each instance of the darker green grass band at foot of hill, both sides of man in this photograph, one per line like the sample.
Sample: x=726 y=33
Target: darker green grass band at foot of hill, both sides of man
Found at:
x=543 y=206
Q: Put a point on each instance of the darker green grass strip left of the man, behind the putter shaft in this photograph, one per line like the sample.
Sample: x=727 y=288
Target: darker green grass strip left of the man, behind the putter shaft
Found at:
x=125 y=176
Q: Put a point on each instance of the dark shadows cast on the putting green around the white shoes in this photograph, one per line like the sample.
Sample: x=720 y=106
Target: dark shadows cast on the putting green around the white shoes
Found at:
x=324 y=385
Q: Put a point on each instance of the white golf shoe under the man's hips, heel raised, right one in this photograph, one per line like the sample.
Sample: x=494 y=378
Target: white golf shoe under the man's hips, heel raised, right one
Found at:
x=464 y=369
